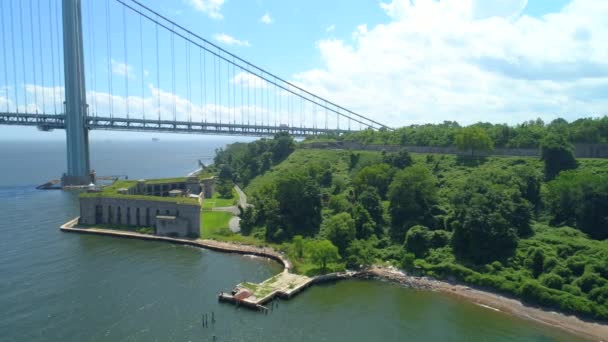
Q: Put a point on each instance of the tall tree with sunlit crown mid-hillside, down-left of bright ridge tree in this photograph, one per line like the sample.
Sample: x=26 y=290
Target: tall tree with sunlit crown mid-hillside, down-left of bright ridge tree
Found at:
x=412 y=195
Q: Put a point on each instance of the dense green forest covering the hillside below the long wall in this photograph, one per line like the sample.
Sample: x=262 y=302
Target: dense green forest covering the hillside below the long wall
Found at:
x=528 y=227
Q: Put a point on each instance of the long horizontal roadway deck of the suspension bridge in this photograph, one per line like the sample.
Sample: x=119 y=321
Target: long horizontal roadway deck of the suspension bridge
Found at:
x=46 y=122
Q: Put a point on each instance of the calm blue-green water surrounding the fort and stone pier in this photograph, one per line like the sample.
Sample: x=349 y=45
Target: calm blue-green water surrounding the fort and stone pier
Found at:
x=57 y=286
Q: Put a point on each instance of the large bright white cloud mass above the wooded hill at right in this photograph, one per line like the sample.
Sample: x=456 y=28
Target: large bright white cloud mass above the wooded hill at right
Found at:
x=457 y=60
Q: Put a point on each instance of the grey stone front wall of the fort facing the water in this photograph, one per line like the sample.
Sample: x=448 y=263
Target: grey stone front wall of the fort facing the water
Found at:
x=166 y=217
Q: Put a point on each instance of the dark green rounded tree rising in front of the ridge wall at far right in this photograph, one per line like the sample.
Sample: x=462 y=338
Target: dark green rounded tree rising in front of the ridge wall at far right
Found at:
x=558 y=155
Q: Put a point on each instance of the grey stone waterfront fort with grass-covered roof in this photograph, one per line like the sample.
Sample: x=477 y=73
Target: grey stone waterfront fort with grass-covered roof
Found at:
x=172 y=207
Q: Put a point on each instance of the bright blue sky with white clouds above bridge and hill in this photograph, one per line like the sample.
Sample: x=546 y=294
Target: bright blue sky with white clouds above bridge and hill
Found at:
x=400 y=62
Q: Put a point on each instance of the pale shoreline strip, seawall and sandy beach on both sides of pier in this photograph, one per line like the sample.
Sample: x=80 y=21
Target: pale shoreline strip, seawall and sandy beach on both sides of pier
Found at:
x=487 y=299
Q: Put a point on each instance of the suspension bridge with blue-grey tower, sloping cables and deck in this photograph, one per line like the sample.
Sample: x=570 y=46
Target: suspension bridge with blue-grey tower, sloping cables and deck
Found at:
x=144 y=72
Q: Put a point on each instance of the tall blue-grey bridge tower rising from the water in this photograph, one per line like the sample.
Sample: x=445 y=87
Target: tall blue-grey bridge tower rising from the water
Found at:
x=77 y=134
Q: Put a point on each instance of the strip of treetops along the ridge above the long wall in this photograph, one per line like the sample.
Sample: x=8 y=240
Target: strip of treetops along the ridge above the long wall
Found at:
x=526 y=135
